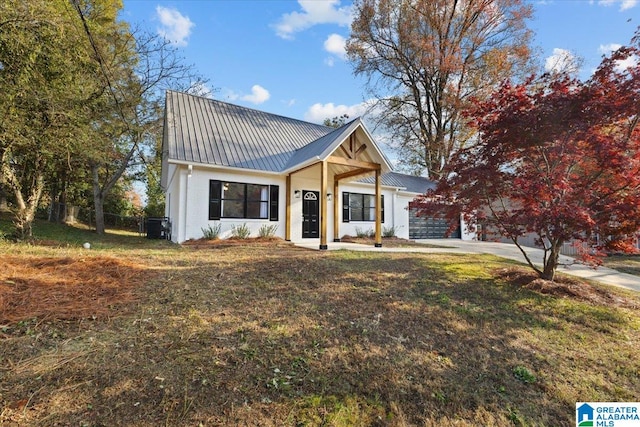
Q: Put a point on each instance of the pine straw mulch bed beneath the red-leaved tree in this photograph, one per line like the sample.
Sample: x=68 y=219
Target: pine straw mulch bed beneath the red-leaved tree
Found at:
x=564 y=287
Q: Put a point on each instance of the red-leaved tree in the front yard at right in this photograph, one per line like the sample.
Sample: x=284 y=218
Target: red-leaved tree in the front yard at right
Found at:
x=555 y=157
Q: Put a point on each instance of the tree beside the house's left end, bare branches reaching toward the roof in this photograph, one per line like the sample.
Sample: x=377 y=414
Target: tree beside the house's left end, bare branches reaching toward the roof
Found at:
x=135 y=69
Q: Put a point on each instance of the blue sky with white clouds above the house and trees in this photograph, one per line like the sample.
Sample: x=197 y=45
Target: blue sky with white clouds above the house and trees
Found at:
x=287 y=57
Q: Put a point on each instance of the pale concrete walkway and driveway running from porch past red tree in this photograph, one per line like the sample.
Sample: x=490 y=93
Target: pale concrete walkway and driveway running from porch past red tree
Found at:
x=569 y=266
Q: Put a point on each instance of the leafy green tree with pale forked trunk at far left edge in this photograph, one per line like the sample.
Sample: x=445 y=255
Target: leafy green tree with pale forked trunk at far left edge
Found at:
x=40 y=61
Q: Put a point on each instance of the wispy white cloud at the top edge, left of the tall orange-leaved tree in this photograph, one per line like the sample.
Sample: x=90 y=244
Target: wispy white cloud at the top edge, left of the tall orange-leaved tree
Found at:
x=313 y=12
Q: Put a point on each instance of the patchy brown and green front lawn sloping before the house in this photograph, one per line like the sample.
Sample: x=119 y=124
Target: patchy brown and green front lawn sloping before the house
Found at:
x=259 y=334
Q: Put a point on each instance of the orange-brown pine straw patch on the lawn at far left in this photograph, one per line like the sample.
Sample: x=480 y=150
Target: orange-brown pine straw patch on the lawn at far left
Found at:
x=65 y=288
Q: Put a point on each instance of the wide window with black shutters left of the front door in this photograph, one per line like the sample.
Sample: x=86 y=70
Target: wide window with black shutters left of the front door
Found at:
x=241 y=200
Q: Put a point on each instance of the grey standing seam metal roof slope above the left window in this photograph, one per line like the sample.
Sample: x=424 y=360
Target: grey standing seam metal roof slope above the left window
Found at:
x=207 y=131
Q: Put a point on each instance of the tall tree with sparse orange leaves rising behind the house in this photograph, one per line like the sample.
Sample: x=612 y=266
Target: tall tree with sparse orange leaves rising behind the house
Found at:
x=424 y=60
